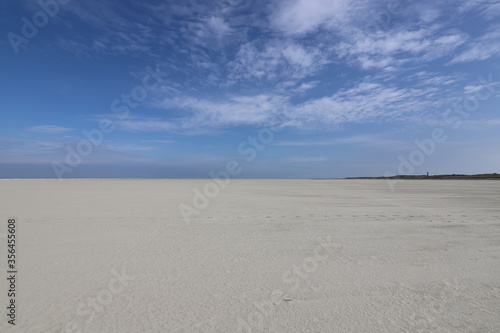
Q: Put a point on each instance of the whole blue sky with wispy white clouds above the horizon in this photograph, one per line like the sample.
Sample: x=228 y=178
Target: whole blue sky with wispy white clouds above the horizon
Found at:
x=177 y=89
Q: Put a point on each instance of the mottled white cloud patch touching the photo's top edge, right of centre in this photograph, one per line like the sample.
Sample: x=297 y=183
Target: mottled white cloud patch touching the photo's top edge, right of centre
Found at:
x=415 y=39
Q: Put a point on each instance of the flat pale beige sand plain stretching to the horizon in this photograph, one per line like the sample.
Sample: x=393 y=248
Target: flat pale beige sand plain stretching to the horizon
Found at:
x=264 y=256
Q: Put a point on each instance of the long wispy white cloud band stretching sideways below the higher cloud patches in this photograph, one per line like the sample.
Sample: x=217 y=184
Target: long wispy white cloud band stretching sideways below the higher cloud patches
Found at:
x=422 y=97
